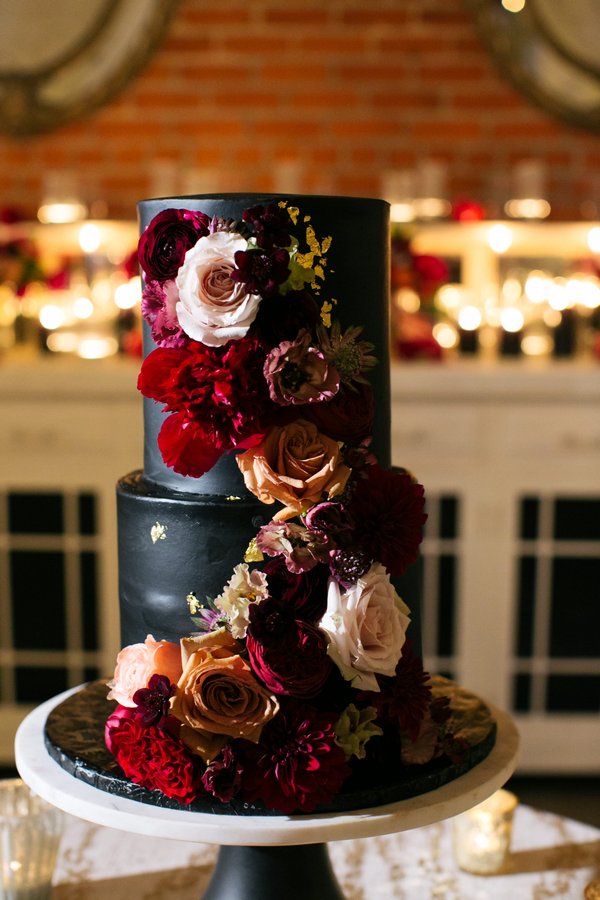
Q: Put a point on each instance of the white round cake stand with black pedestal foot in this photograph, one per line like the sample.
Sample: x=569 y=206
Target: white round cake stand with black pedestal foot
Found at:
x=261 y=857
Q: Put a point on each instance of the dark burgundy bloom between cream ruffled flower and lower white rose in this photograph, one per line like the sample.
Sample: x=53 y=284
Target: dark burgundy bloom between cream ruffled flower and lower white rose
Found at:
x=305 y=593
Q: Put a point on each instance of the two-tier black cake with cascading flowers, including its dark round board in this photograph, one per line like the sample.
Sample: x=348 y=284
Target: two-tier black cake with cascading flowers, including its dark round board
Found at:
x=268 y=551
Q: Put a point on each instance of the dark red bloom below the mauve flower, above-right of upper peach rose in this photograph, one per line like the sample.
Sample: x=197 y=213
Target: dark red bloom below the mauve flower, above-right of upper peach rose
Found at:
x=348 y=417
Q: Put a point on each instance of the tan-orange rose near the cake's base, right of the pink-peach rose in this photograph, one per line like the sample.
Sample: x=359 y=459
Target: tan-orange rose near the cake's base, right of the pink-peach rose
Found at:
x=217 y=695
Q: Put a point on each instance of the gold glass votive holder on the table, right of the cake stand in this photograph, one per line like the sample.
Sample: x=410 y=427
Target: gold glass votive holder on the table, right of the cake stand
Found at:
x=482 y=834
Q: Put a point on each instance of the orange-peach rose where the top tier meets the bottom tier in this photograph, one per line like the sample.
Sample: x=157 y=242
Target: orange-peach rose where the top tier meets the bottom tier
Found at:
x=296 y=465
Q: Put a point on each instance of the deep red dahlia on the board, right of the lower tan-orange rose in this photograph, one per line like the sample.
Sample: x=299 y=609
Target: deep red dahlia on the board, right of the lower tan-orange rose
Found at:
x=297 y=766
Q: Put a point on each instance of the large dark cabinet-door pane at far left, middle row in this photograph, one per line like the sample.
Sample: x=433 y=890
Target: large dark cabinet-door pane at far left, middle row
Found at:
x=38 y=600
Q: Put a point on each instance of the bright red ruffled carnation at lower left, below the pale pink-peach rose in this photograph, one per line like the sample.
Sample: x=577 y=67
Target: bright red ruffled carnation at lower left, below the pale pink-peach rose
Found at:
x=151 y=757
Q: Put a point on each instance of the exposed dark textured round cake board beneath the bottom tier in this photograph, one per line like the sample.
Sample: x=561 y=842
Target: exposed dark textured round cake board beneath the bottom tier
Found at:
x=74 y=737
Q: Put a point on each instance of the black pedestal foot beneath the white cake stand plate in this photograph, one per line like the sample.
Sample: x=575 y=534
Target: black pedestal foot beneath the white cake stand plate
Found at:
x=271 y=873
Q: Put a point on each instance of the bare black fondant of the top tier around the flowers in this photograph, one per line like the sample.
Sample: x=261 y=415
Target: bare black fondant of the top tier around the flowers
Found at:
x=357 y=277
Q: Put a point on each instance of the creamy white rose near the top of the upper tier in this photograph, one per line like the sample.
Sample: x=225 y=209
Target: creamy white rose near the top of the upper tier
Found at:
x=212 y=308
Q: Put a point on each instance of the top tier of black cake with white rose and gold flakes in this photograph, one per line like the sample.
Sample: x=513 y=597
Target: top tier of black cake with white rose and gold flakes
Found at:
x=261 y=310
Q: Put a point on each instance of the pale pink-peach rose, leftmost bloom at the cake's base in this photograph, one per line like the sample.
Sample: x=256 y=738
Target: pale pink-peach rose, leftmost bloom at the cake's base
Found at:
x=137 y=663
